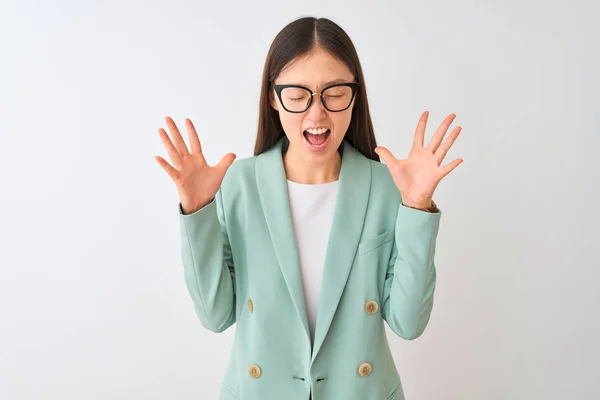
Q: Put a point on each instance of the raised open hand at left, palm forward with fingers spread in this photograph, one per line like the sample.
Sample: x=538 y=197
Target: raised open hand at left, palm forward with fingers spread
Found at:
x=197 y=183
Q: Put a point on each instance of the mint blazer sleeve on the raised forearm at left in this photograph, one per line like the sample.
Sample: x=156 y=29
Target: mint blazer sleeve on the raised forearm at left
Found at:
x=208 y=264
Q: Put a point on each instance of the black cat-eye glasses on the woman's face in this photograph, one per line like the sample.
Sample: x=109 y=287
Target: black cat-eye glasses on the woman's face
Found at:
x=335 y=98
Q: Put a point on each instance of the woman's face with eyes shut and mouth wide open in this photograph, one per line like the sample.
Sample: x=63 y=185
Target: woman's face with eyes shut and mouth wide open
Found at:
x=315 y=72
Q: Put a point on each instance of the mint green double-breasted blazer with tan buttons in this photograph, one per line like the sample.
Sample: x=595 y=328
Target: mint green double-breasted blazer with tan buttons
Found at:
x=241 y=266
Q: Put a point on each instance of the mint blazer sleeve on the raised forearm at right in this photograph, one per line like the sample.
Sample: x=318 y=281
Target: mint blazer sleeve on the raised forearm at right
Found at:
x=411 y=274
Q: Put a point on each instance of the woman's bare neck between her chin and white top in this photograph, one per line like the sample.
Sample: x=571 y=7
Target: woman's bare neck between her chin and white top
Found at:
x=311 y=172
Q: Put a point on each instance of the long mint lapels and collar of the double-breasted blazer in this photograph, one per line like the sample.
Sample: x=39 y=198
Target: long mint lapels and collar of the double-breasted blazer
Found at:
x=348 y=220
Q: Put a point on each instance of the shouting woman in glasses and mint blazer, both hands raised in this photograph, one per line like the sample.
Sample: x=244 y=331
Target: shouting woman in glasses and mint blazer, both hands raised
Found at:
x=309 y=245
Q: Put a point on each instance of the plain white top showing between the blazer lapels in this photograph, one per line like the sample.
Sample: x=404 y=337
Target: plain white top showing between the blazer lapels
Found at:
x=312 y=208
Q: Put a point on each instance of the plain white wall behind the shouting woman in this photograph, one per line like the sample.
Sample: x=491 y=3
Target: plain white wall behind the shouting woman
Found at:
x=93 y=300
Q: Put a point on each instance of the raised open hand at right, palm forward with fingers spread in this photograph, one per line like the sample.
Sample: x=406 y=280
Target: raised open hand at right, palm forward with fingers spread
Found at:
x=418 y=175
